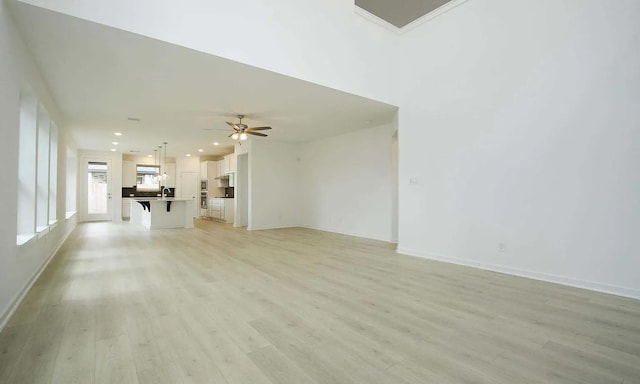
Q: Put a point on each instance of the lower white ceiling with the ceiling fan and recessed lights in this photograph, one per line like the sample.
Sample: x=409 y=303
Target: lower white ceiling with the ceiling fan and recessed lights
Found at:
x=100 y=76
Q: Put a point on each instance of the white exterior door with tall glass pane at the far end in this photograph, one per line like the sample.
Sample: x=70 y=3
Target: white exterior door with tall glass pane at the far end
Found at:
x=98 y=193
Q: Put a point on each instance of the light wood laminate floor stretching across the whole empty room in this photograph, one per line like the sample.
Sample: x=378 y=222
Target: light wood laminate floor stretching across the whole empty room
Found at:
x=214 y=304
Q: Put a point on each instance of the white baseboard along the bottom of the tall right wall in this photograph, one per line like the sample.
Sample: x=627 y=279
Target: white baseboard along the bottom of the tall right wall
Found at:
x=597 y=287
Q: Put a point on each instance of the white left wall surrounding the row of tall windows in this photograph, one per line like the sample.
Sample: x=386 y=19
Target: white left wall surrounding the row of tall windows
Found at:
x=20 y=265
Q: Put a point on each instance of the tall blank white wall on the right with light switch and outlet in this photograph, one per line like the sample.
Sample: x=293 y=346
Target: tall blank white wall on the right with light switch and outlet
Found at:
x=521 y=125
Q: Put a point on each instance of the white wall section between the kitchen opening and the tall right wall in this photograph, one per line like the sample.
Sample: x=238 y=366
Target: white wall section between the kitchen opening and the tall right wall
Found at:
x=346 y=183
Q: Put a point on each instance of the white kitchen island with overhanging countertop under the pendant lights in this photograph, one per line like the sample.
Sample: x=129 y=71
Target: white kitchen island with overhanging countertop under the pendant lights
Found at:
x=162 y=213
